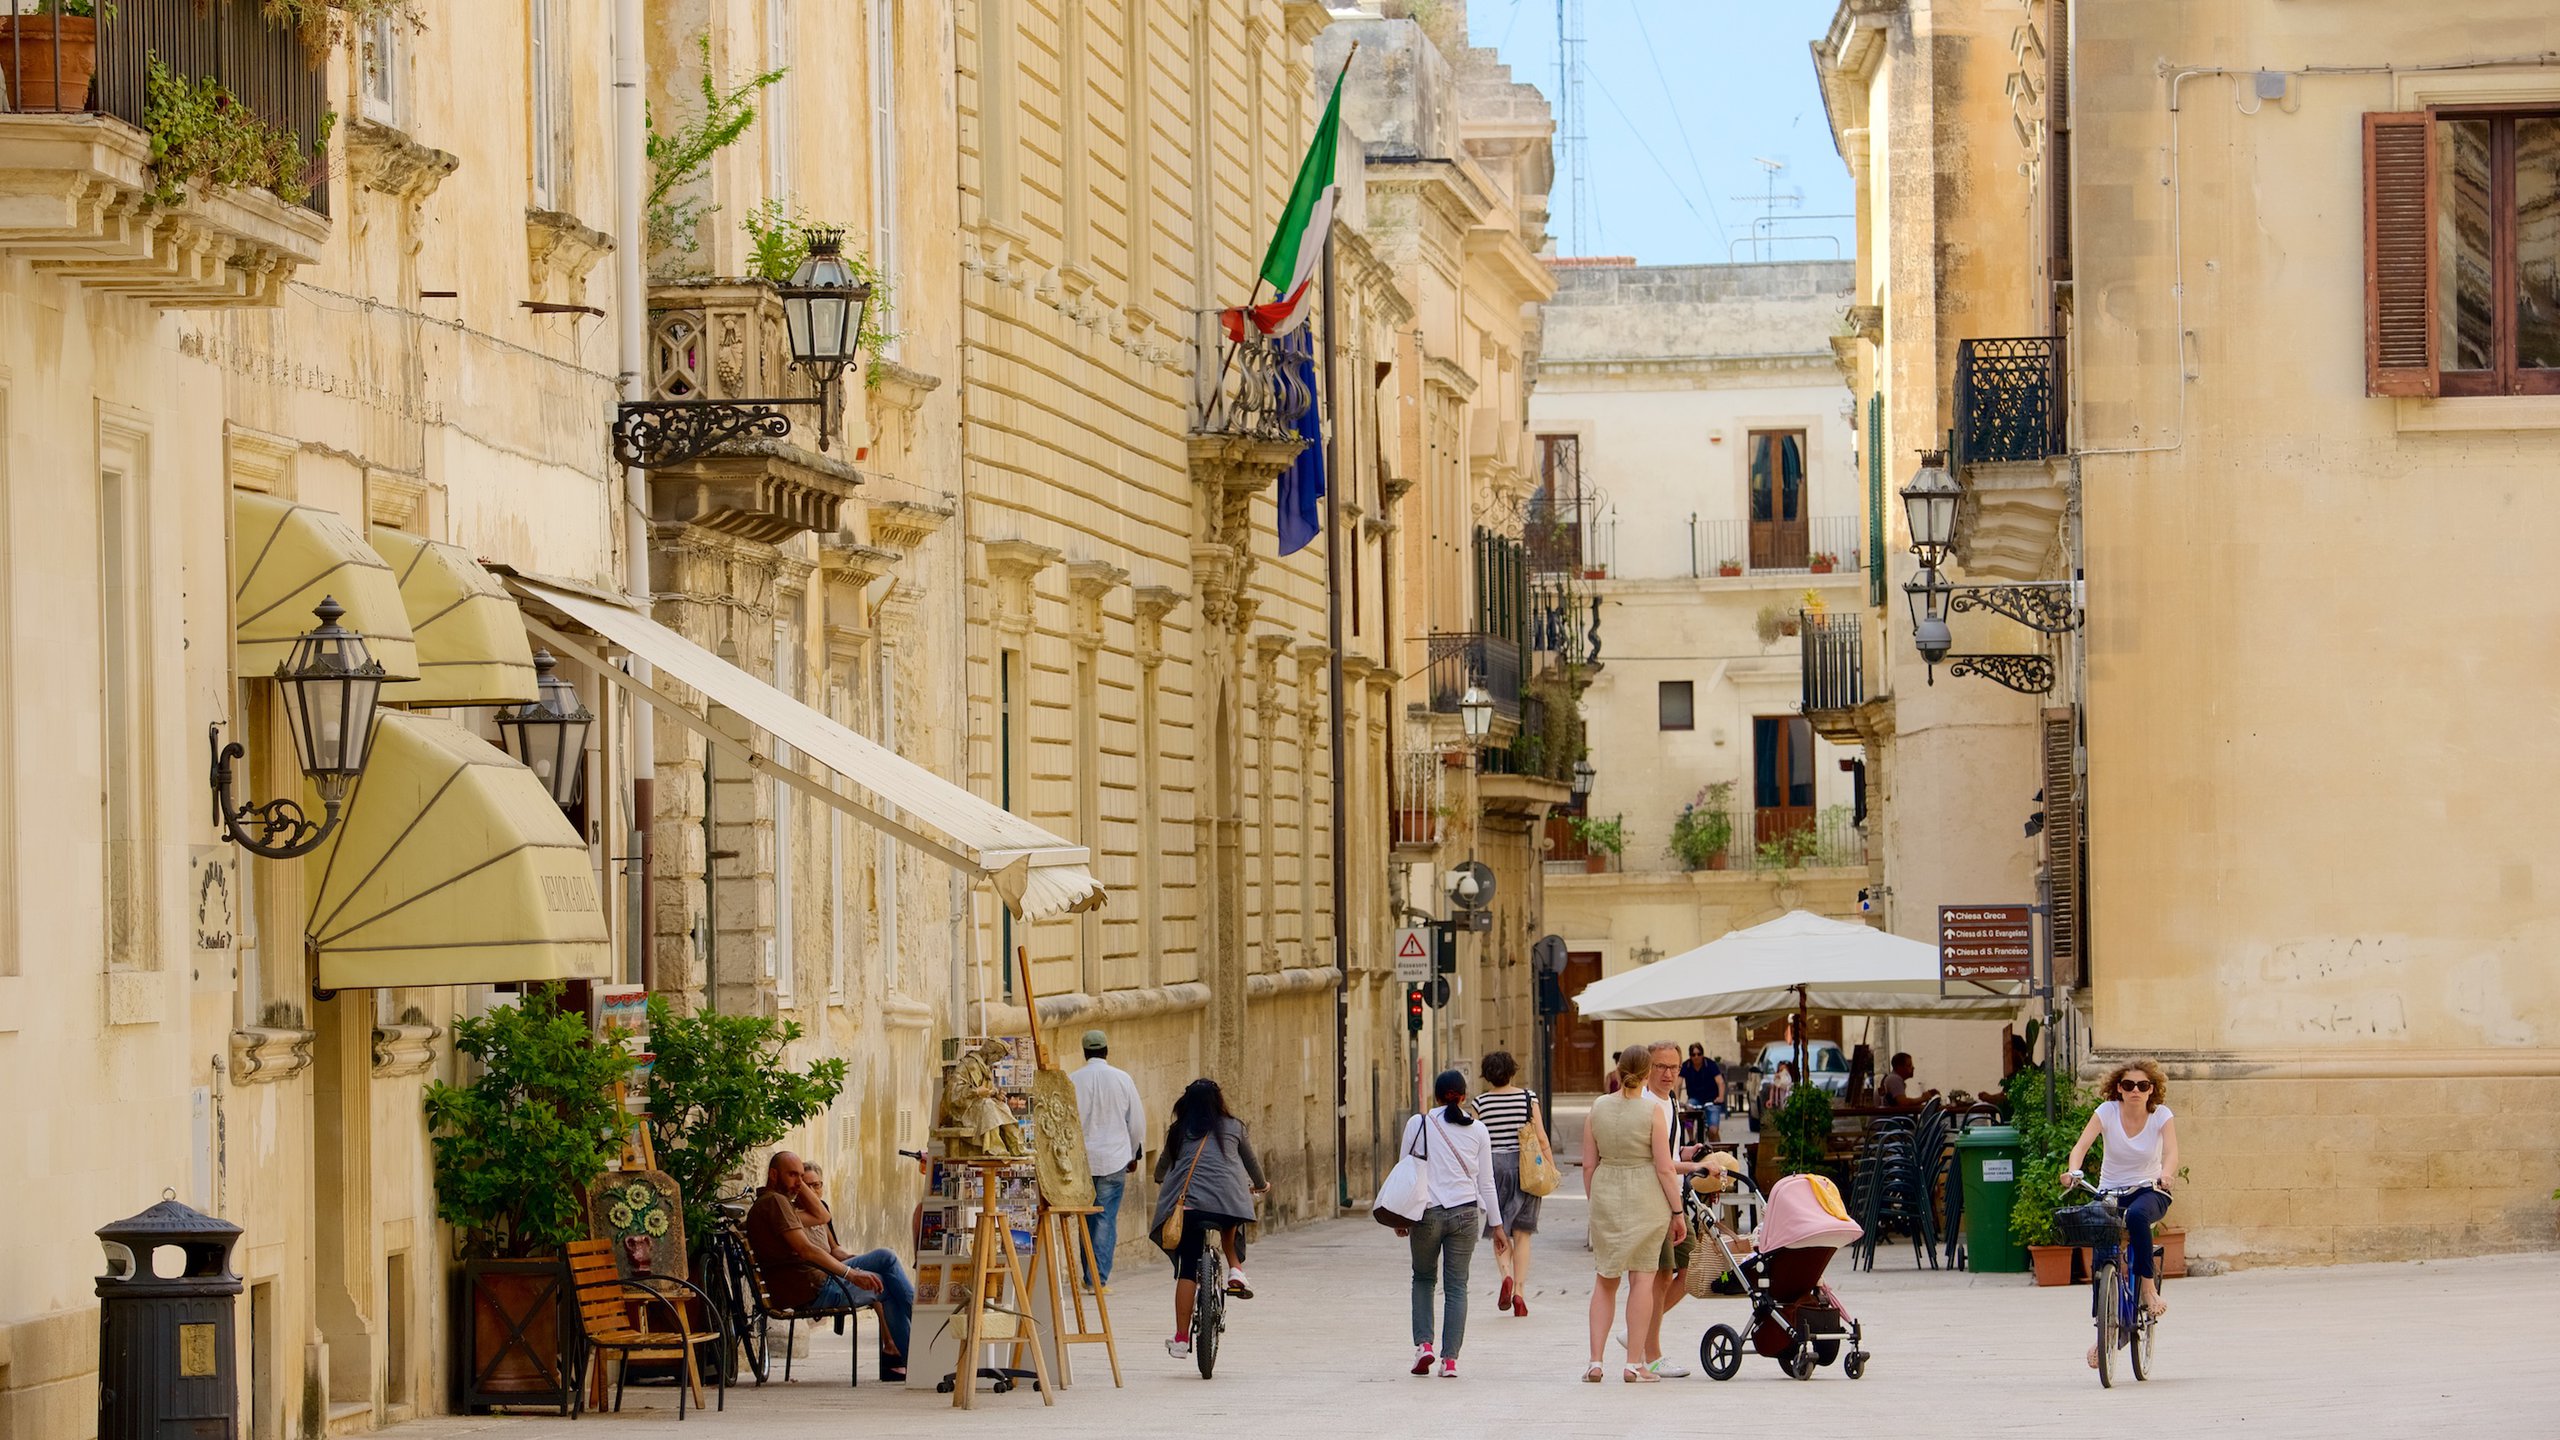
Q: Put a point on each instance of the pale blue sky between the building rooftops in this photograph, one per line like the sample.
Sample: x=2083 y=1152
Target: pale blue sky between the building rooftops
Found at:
x=1681 y=104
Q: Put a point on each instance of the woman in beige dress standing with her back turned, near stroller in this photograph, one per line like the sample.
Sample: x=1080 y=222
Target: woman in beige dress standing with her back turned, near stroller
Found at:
x=1635 y=1206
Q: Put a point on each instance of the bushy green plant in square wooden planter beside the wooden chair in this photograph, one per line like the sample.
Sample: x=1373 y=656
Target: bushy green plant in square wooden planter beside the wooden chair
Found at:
x=516 y=1152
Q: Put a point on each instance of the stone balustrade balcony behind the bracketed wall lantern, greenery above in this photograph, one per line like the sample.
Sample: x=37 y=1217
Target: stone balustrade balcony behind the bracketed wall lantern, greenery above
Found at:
x=723 y=340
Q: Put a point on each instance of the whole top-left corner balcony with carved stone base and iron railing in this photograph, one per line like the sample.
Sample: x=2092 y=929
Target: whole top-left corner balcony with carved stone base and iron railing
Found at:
x=78 y=188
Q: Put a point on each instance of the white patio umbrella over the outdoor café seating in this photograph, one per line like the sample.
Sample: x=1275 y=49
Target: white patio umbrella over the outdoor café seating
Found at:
x=1796 y=962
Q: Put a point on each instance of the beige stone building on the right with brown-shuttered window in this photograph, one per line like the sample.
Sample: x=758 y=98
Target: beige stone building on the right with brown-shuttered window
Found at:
x=2147 y=365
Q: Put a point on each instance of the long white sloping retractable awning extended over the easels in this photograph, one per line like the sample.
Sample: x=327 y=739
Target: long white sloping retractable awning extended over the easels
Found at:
x=1036 y=872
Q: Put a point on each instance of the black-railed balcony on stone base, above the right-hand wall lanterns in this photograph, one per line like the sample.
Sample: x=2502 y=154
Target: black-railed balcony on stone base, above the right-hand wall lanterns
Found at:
x=2011 y=455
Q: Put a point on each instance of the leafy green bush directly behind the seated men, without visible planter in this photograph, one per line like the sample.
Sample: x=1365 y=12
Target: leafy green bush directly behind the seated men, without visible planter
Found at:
x=723 y=1090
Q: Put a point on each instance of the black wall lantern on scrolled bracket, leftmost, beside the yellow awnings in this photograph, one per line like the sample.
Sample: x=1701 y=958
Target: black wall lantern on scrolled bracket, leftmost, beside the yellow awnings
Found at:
x=332 y=685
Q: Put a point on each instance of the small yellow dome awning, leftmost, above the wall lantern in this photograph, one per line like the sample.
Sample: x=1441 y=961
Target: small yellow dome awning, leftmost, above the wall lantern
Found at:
x=285 y=560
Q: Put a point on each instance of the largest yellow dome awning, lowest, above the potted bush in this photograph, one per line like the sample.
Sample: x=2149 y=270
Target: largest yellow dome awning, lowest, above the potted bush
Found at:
x=452 y=867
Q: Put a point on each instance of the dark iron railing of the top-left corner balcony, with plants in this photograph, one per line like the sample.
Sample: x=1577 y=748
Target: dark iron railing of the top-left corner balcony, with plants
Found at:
x=101 y=65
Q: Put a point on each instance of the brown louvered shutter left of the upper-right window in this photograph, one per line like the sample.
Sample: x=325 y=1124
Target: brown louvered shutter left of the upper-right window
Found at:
x=2400 y=255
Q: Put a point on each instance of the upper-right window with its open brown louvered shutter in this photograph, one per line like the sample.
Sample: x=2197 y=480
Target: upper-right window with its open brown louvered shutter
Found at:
x=2464 y=252
